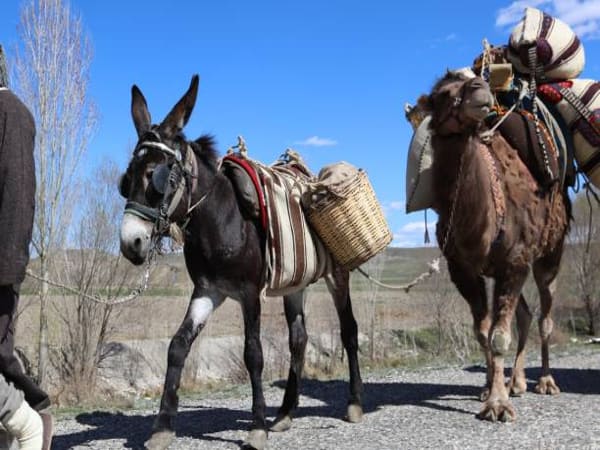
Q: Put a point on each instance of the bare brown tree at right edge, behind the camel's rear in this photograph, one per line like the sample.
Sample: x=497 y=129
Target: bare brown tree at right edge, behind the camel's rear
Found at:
x=584 y=239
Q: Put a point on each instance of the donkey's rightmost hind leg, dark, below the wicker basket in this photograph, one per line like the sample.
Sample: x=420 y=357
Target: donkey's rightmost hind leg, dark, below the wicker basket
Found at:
x=338 y=284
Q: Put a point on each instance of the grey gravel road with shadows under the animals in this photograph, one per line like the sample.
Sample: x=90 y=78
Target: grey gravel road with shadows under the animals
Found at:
x=404 y=409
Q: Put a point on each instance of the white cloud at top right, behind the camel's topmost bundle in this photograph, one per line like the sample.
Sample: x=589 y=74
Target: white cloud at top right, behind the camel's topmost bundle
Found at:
x=582 y=15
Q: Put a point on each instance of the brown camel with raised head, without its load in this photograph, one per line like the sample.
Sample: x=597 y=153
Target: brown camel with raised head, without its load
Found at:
x=497 y=221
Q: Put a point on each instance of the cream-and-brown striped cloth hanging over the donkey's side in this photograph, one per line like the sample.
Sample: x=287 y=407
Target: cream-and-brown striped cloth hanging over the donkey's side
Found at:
x=296 y=256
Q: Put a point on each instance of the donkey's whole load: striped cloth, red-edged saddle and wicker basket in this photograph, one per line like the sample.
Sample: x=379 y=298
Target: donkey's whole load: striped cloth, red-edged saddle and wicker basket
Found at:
x=339 y=204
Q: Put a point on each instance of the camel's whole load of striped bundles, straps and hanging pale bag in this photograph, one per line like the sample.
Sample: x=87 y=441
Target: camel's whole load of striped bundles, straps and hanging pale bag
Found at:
x=535 y=75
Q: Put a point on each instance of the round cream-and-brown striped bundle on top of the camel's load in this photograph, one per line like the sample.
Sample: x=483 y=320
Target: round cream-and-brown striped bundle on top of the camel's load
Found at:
x=559 y=52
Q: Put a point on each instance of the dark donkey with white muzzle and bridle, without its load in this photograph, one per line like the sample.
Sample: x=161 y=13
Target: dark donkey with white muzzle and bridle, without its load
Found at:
x=171 y=180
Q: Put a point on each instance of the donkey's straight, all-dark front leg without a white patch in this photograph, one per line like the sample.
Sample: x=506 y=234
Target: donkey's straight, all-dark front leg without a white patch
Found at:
x=253 y=357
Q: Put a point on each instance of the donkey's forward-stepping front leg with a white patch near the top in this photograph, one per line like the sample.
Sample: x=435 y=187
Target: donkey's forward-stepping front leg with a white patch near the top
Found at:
x=199 y=310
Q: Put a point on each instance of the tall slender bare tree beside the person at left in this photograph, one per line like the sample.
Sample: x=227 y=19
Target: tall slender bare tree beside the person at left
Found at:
x=52 y=65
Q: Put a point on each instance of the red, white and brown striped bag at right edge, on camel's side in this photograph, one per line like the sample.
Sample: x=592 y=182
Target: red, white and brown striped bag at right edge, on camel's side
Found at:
x=578 y=103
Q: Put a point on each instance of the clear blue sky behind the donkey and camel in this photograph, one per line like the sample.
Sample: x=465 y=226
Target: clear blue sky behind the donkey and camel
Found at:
x=328 y=78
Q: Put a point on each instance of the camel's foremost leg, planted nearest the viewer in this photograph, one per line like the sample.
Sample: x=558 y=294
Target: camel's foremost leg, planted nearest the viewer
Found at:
x=506 y=297
